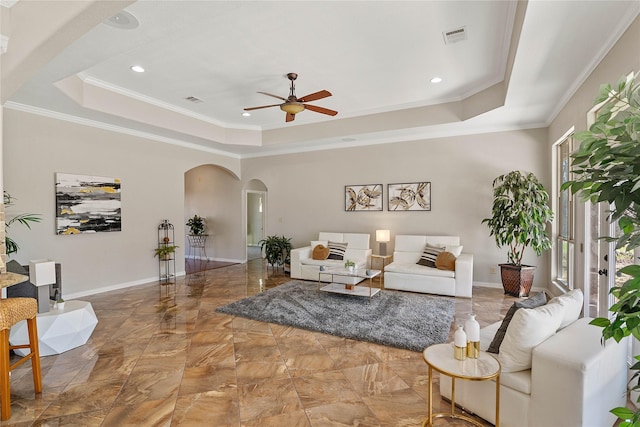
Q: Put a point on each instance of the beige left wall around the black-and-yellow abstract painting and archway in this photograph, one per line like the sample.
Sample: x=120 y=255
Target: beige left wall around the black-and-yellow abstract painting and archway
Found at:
x=152 y=174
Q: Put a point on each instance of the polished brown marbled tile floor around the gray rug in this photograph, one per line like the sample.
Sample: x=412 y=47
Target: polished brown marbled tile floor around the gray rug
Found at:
x=164 y=357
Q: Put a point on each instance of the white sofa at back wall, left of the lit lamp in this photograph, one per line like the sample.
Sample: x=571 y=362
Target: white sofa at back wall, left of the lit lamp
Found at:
x=304 y=267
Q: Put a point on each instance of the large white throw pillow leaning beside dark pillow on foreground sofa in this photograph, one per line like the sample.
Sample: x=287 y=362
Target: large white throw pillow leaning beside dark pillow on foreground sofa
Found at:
x=528 y=328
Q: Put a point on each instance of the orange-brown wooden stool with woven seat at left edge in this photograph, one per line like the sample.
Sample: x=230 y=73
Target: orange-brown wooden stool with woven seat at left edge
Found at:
x=13 y=310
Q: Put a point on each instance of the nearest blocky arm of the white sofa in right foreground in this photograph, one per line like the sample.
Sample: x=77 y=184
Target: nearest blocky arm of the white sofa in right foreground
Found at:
x=575 y=380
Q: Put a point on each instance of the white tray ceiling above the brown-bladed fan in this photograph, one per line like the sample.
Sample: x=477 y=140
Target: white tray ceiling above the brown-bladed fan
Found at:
x=376 y=57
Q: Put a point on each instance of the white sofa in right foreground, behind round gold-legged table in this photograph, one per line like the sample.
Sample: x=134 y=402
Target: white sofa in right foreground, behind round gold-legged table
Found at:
x=574 y=380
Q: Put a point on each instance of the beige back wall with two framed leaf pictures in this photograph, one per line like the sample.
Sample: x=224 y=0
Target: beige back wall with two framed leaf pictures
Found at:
x=306 y=190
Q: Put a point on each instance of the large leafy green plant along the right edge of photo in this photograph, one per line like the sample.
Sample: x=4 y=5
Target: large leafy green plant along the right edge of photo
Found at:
x=606 y=168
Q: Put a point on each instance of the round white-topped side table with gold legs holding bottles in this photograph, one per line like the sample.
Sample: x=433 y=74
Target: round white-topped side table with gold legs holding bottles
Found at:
x=484 y=368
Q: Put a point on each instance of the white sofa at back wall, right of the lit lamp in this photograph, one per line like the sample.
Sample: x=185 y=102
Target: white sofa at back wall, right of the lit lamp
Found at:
x=406 y=275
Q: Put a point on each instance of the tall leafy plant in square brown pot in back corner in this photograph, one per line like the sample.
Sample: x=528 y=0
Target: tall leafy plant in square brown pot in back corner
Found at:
x=520 y=215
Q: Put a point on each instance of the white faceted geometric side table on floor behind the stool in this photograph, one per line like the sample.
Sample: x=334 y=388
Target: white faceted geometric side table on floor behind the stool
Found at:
x=58 y=330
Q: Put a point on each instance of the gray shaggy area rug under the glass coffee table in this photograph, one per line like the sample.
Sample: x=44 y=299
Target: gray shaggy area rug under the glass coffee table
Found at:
x=403 y=320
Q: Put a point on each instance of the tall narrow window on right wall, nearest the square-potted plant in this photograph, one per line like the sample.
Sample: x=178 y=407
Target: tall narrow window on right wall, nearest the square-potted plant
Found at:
x=564 y=224
